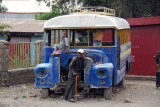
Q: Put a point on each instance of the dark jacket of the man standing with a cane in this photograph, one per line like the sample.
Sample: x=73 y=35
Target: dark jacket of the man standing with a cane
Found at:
x=77 y=65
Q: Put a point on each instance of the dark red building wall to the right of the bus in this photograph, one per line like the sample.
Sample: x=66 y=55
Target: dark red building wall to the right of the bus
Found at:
x=145 y=40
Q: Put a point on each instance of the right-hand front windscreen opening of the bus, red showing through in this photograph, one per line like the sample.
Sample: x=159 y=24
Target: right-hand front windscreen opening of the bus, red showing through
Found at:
x=92 y=37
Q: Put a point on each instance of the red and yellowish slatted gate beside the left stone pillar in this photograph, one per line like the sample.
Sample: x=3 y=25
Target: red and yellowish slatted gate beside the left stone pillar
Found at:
x=19 y=55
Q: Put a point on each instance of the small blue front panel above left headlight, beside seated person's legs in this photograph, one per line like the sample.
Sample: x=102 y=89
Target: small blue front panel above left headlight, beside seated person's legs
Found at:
x=47 y=54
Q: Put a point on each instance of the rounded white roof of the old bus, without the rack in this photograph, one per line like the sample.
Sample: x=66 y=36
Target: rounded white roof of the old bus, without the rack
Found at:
x=81 y=21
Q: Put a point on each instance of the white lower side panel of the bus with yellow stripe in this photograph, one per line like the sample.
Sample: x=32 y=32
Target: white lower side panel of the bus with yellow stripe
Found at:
x=125 y=56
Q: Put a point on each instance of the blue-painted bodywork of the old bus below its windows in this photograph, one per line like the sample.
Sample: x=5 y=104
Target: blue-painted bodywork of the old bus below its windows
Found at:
x=52 y=66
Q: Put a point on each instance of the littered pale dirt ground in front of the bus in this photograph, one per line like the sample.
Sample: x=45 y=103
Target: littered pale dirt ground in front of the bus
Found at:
x=133 y=94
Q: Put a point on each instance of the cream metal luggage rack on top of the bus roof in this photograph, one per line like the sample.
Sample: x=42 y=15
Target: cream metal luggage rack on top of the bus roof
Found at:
x=93 y=10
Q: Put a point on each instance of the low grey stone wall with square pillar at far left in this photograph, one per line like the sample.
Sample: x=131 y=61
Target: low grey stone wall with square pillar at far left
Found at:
x=14 y=76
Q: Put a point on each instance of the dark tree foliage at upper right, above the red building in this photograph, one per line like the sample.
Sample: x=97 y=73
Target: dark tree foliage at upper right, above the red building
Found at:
x=129 y=8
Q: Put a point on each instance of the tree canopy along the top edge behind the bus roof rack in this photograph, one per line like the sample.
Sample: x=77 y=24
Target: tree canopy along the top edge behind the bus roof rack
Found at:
x=123 y=8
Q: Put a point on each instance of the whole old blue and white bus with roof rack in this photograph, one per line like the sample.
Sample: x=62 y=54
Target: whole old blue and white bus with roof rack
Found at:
x=107 y=61
